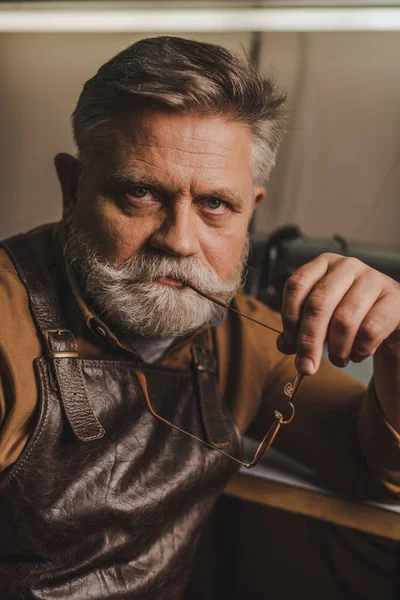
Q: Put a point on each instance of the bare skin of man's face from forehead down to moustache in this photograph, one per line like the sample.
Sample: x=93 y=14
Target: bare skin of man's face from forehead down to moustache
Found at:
x=181 y=185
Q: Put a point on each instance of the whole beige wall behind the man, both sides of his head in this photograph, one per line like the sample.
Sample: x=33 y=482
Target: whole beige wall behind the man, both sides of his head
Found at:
x=336 y=171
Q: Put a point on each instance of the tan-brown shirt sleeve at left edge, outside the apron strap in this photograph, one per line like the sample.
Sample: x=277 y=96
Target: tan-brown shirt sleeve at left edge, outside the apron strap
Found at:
x=19 y=346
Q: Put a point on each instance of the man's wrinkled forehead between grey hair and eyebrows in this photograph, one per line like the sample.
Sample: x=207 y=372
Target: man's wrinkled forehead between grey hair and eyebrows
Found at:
x=185 y=146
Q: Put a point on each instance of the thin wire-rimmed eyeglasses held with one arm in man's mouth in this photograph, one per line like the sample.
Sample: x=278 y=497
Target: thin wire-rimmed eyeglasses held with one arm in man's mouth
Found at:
x=290 y=390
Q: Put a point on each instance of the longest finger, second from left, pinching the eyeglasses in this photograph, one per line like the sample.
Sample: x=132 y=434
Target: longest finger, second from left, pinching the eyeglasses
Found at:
x=317 y=313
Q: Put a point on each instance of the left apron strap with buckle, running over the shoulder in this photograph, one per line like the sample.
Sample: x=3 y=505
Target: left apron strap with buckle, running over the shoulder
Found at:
x=62 y=349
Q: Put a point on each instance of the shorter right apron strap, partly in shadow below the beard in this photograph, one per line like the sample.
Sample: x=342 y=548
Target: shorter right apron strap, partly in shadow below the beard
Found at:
x=217 y=421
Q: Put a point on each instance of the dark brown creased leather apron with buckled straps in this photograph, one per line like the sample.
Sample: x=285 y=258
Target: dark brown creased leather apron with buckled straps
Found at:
x=105 y=501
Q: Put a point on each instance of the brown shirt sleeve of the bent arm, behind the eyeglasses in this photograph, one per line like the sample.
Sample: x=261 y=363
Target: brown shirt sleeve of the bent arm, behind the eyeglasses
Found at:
x=339 y=431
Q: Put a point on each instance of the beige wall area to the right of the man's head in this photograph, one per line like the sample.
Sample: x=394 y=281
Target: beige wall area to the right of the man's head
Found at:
x=339 y=167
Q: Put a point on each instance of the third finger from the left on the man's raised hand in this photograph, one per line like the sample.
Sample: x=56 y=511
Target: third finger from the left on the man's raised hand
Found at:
x=349 y=315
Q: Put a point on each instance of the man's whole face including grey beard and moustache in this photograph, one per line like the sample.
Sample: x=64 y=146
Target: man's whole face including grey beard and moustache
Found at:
x=172 y=205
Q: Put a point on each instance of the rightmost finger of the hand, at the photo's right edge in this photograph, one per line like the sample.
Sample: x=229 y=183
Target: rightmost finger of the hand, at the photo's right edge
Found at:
x=378 y=325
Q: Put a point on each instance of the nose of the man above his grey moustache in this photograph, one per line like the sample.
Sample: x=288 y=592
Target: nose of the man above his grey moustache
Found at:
x=177 y=234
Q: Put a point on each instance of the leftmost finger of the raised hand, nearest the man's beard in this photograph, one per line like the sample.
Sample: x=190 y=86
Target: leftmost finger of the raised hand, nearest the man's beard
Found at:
x=296 y=290
